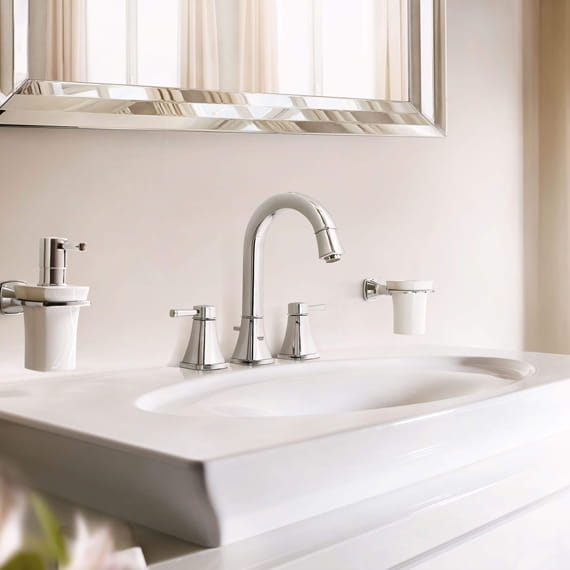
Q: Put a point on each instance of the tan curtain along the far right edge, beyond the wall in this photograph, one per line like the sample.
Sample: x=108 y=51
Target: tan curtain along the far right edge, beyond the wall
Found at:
x=554 y=175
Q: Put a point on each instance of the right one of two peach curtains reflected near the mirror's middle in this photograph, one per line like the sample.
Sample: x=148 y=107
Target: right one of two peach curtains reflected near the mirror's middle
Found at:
x=257 y=46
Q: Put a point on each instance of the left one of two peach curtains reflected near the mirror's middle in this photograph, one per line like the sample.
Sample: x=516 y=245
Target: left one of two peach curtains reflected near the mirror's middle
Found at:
x=199 y=59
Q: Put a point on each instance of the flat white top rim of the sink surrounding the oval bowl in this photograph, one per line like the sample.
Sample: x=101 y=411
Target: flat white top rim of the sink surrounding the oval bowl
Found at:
x=71 y=405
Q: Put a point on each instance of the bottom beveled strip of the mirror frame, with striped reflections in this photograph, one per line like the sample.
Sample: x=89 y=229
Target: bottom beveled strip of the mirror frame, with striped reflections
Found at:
x=83 y=105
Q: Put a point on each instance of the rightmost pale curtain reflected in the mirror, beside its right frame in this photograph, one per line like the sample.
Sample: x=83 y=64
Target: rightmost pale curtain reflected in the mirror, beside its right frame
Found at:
x=391 y=42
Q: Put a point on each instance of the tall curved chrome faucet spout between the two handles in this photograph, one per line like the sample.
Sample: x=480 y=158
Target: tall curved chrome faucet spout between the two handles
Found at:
x=251 y=347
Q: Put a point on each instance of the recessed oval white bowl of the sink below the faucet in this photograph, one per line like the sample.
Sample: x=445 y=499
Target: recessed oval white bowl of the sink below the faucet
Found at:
x=340 y=386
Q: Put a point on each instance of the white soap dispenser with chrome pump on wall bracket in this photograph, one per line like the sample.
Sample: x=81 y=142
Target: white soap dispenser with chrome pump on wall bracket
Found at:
x=51 y=308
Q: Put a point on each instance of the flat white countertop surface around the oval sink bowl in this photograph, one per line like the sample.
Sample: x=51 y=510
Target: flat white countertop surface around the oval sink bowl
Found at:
x=99 y=405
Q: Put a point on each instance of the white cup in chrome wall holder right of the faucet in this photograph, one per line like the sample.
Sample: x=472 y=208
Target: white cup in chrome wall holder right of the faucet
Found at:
x=409 y=301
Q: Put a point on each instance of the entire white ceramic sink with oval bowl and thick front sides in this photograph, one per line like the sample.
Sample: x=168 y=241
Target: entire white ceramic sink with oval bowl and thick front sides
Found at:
x=218 y=457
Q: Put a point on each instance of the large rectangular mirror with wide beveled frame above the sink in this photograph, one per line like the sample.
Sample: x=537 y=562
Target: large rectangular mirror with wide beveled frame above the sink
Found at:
x=374 y=67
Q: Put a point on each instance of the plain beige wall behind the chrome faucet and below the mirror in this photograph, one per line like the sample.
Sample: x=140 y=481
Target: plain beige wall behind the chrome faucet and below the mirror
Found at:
x=164 y=215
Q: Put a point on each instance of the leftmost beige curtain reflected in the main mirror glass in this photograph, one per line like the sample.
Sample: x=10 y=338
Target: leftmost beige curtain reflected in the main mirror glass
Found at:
x=66 y=53
